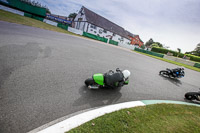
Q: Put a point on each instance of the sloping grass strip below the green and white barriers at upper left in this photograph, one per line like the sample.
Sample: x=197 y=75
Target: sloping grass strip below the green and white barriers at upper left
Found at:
x=15 y=18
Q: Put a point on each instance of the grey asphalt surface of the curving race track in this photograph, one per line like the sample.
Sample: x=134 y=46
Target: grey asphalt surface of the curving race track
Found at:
x=42 y=76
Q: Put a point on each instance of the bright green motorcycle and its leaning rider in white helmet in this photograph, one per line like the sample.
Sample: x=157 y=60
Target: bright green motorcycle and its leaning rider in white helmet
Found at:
x=110 y=79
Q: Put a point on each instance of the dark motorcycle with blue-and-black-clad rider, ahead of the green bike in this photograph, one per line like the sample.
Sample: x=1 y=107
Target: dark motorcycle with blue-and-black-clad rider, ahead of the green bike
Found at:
x=173 y=73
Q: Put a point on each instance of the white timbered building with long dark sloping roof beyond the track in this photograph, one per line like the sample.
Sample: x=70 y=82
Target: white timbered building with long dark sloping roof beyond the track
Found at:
x=90 y=22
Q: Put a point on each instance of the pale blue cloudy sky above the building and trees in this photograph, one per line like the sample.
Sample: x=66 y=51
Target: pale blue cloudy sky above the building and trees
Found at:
x=174 y=23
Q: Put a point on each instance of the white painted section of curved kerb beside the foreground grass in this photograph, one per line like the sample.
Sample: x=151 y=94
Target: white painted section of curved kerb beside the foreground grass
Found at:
x=77 y=120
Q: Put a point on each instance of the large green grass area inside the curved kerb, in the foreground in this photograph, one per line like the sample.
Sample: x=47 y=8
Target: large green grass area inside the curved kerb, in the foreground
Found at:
x=158 y=118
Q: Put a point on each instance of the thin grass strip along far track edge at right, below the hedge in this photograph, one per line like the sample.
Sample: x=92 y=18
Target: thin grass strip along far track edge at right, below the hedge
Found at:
x=173 y=62
